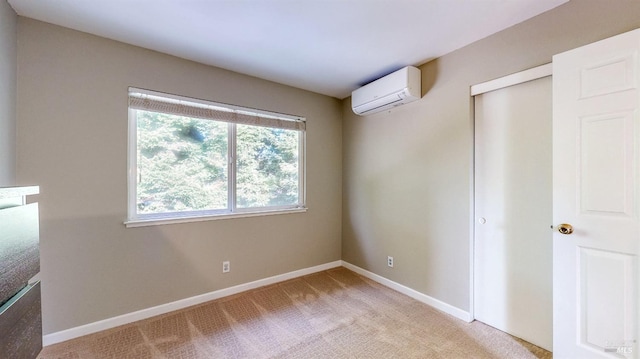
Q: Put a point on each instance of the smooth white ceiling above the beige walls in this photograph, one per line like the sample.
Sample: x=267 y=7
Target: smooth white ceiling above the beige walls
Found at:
x=327 y=46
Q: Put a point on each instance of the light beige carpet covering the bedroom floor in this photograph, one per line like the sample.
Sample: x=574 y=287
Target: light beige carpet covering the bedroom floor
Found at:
x=331 y=314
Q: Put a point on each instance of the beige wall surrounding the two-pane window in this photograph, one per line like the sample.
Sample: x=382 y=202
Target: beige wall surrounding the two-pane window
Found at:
x=72 y=126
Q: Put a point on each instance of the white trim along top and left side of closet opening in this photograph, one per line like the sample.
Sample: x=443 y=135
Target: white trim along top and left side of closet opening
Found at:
x=478 y=89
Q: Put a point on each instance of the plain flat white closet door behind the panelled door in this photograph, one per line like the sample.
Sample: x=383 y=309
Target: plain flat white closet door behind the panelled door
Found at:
x=513 y=201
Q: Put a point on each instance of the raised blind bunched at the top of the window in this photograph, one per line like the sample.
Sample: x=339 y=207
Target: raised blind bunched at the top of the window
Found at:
x=175 y=105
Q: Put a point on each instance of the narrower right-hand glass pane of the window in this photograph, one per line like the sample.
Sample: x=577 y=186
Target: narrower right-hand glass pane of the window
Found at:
x=267 y=167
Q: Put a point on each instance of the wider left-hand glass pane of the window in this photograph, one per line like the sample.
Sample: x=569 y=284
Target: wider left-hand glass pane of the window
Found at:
x=182 y=163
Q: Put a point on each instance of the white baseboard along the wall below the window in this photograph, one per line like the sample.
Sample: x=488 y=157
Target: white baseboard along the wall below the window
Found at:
x=109 y=323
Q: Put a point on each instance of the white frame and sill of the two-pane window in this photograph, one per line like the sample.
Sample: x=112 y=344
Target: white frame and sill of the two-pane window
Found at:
x=232 y=211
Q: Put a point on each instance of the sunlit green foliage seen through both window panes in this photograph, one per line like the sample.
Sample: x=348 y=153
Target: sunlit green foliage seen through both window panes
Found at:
x=183 y=165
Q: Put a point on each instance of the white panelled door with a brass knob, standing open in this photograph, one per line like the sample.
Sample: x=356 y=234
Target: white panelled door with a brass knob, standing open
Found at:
x=596 y=191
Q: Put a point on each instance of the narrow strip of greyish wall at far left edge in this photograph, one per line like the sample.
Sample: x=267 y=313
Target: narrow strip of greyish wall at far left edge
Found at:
x=8 y=36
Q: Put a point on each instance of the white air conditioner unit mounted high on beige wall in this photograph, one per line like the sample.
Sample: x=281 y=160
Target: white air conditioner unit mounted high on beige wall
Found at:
x=395 y=89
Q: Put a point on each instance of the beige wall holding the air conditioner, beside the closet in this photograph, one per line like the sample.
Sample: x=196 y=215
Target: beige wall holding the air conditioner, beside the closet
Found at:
x=407 y=174
